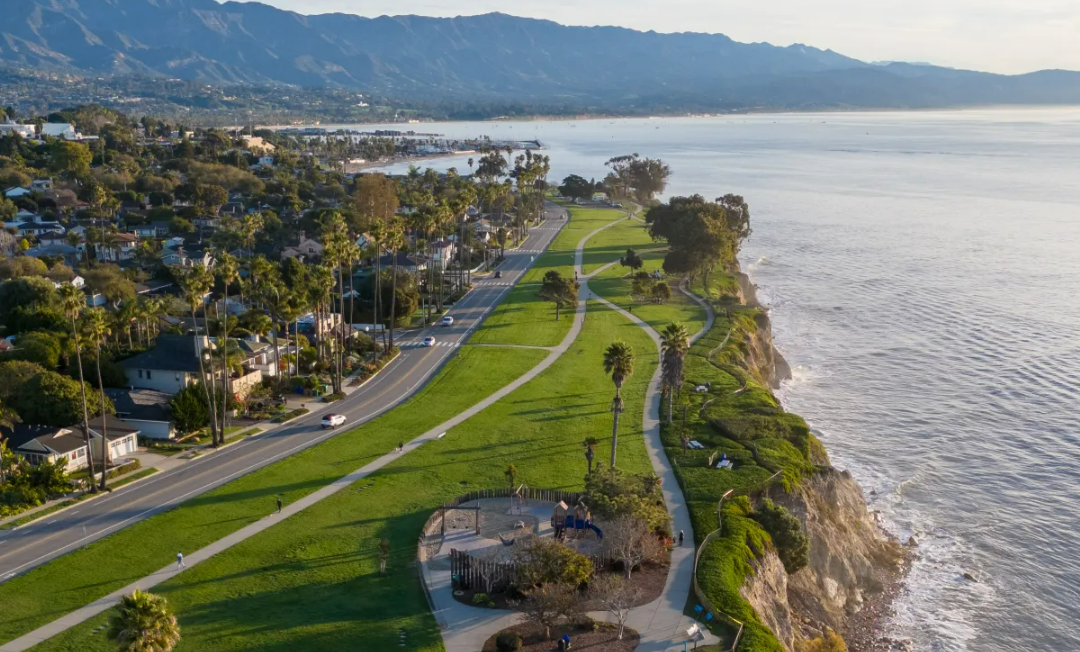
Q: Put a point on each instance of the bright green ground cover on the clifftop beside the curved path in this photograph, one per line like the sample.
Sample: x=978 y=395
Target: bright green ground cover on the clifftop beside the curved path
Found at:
x=745 y=422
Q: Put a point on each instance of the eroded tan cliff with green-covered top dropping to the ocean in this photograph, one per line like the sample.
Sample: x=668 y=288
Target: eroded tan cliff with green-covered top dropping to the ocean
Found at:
x=843 y=578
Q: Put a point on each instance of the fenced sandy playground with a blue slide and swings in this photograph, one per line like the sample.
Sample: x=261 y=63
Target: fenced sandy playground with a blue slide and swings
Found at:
x=490 y=528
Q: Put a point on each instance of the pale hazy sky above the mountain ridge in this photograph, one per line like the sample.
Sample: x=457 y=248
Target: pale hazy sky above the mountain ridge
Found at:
x=1001 y=36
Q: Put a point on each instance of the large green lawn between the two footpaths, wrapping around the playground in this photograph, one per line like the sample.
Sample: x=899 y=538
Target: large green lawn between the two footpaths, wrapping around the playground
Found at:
x=313 y=583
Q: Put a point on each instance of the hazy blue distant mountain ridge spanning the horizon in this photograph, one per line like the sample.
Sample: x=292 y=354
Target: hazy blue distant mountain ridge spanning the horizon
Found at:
x=485 y=58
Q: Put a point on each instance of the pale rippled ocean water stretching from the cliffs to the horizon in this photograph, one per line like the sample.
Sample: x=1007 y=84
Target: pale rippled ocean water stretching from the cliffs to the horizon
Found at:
x=923 y=273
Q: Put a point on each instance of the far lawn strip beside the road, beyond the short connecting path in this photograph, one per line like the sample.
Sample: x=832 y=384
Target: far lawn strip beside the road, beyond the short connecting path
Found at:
x=525 y=319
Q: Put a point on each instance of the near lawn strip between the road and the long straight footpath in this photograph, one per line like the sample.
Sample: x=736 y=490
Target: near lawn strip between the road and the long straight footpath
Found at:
x=84 y=576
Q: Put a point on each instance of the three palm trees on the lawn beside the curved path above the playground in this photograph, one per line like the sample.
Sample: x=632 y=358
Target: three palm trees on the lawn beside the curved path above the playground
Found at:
x=619 y=364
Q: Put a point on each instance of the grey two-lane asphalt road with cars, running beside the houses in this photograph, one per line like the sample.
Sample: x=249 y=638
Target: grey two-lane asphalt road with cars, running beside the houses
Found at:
x=36 y=544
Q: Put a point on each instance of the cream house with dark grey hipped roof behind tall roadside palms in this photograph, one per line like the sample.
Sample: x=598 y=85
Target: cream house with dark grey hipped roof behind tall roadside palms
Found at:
x=171 y=366
